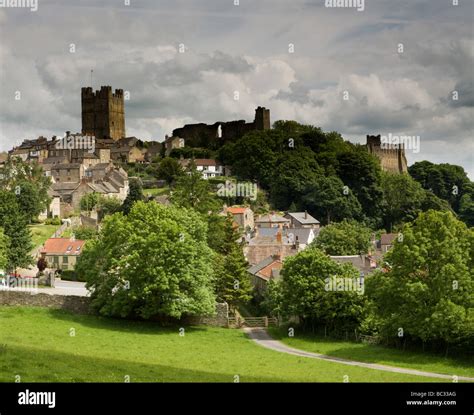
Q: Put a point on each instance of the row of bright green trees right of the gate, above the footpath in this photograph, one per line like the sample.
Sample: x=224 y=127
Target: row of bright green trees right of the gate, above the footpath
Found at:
x=424 y=294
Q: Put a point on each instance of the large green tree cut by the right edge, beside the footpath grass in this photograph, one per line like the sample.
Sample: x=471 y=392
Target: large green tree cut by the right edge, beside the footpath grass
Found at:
x=427 y=293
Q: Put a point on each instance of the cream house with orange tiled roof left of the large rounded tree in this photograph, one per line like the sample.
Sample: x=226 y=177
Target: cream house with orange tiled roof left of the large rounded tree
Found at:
x=62 y=253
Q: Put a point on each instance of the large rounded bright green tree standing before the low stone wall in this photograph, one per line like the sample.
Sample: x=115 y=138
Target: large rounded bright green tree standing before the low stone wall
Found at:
x=153 y=262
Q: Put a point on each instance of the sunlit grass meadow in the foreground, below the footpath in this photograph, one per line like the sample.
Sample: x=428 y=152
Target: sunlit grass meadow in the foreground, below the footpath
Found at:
x=36 y=344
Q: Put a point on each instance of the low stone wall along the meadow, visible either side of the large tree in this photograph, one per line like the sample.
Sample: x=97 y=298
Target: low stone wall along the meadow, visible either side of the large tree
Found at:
x=81 y=305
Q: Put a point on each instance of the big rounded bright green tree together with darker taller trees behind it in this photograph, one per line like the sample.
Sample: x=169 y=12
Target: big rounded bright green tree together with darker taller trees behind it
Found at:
x=152 y=260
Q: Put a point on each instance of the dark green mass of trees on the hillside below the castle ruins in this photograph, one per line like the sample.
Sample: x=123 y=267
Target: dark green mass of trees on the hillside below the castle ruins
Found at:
x=304 y=168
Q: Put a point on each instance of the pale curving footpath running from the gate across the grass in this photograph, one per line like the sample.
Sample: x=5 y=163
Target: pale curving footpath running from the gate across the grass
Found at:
x=262 y=338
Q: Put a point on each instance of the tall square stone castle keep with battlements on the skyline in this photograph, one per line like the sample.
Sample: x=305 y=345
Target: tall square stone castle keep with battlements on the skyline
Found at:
x=103 y=113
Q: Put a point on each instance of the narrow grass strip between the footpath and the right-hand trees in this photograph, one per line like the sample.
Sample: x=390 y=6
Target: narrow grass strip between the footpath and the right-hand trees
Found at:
x=455 y=365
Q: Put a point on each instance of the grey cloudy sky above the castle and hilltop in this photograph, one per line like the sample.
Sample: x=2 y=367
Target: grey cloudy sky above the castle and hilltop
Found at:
x=47 y=56
